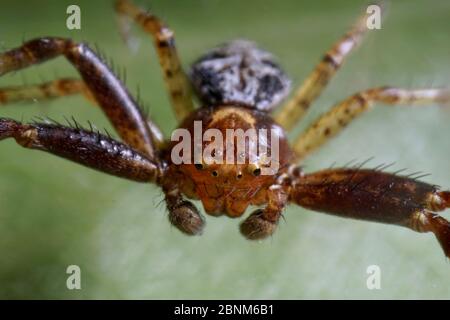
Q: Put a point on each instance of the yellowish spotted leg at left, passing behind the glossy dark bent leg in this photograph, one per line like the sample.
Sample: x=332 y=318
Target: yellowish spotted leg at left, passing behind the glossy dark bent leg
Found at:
x=61 y=88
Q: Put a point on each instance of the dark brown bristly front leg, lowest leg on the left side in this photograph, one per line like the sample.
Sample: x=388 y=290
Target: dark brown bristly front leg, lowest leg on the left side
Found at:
x=90 y=149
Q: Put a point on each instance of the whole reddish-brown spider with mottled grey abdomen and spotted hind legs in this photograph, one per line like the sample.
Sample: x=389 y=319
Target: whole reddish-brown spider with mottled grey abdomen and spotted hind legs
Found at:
x=239 y=86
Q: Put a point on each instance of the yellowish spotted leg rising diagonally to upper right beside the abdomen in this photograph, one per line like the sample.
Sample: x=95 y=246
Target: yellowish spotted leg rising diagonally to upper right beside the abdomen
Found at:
x=294 y=110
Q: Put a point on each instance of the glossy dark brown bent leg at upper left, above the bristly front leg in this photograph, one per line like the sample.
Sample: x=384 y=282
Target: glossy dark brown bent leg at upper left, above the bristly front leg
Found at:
x=108 y=91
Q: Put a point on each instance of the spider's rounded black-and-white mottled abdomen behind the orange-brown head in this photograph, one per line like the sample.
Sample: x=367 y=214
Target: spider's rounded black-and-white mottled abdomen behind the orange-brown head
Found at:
x=239 y=73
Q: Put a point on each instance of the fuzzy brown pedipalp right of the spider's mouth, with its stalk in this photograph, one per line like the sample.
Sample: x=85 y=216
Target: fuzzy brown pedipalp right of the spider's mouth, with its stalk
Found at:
x=263 y=222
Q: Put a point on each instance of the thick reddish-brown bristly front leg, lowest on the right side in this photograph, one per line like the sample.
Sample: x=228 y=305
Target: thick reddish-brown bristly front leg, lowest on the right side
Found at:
x=376 y=196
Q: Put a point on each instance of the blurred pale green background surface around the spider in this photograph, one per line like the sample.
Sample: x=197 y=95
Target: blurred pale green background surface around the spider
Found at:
x=54 y=213
